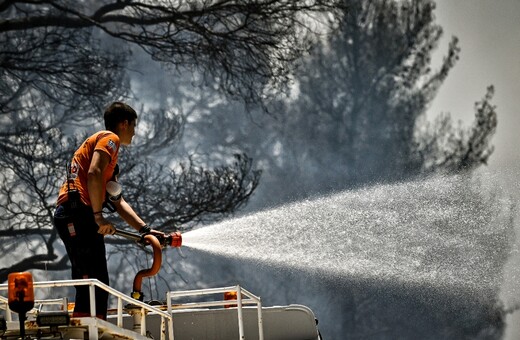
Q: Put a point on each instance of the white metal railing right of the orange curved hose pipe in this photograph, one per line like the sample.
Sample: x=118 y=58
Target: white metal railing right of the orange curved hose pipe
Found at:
x=243 y=297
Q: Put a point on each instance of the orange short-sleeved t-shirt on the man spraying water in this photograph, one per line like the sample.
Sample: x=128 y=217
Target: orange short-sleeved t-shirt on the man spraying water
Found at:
x=104 y=141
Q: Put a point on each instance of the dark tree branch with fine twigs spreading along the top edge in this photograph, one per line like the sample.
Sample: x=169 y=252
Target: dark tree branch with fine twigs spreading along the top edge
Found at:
x=245 y=45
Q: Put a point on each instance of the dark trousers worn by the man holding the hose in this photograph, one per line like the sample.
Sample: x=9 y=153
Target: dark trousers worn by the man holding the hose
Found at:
x=86 y=249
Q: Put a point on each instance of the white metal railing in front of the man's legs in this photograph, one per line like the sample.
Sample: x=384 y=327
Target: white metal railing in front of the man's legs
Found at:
x=166 y=318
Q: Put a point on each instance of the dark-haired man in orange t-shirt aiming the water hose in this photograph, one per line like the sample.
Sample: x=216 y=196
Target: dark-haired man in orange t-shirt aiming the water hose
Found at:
x=79 y=216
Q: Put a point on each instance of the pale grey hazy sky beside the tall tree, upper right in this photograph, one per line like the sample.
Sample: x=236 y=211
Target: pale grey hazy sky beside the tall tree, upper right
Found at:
x=489 y=36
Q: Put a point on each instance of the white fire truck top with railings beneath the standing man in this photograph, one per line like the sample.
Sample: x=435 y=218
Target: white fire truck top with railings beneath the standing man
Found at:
x=192 y=314
